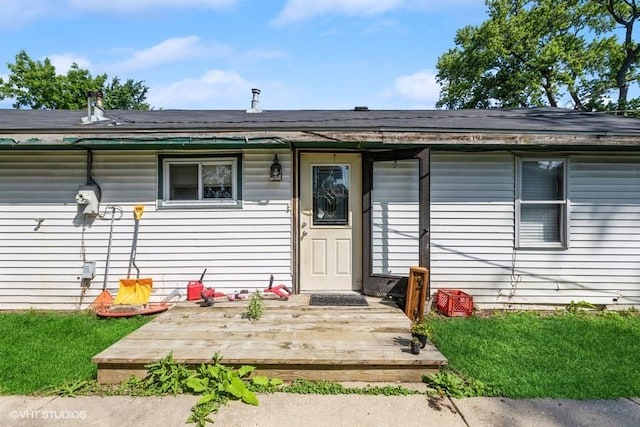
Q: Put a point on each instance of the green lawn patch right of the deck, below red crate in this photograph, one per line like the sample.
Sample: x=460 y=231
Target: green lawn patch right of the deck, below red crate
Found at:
x=526 y=355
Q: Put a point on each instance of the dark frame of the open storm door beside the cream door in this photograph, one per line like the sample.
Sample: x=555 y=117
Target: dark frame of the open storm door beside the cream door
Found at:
x=381 y=284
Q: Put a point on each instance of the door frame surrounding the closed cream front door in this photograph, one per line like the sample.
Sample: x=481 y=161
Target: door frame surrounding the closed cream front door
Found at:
x=297 y=217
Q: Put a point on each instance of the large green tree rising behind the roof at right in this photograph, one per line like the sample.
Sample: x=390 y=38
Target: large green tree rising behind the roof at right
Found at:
x=532 y=53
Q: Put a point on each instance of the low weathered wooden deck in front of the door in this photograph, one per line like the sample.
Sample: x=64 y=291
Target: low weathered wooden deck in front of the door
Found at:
x=291 y=340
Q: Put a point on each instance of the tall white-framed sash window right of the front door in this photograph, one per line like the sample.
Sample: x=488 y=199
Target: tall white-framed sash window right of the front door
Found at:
x=541 y=203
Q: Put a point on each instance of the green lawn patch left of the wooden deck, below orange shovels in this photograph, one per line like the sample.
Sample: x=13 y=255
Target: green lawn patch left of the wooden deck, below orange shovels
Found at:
x=40 y=349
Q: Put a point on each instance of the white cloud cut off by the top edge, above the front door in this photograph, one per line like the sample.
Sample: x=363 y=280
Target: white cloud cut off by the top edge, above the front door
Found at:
x=300 y=10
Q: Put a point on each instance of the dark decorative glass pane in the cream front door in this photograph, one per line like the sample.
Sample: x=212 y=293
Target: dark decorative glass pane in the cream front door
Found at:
x=330 y=195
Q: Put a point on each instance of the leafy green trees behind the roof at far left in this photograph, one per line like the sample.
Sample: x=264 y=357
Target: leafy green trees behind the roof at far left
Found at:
x=35 y=84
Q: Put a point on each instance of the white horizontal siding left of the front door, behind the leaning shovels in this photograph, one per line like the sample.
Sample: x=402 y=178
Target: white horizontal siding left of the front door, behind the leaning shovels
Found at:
x=41 y=266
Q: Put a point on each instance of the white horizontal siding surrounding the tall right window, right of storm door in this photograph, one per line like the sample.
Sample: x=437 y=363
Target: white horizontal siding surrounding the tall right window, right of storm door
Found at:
x=473 y=239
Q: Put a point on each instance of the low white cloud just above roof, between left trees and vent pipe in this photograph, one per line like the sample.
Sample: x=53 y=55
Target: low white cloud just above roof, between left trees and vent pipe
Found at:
x=216 y=89
